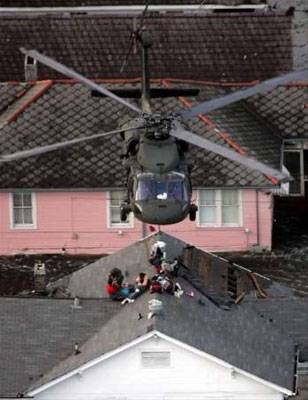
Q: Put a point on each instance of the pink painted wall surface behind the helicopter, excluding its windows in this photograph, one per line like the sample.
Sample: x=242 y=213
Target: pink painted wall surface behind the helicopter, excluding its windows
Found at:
x=78 y=221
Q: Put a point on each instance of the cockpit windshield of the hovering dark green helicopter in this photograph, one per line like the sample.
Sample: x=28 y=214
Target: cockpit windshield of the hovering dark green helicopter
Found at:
x=173 y=186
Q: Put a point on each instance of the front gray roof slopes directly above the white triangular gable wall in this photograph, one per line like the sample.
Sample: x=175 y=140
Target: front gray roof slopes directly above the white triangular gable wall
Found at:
x=236 y=337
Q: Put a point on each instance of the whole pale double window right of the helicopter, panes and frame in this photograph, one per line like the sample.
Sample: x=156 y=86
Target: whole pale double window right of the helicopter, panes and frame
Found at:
x=219 y=207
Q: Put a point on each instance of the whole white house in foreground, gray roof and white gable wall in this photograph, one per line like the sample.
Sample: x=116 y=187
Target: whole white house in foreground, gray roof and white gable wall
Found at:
x=207 y=344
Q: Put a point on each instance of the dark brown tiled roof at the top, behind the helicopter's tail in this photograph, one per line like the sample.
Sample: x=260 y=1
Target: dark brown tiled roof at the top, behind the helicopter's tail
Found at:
x=220 y=47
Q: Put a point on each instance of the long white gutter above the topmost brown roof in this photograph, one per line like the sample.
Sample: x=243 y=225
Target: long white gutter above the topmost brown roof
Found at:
x=132 y=9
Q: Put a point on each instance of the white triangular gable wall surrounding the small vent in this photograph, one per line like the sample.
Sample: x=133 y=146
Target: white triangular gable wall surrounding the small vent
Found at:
x=189 y=376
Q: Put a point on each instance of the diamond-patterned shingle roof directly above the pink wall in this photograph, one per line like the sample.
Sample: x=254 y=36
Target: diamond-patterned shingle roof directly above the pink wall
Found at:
x=67 y=111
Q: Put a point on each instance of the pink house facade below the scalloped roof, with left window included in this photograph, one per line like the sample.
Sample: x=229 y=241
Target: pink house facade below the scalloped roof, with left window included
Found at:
x=87 y=222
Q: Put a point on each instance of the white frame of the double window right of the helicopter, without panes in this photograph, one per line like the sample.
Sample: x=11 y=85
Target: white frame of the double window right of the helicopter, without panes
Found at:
x=218 y=223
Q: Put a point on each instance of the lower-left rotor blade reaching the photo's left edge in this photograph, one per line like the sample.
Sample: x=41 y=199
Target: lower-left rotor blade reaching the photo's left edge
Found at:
x=56 y=146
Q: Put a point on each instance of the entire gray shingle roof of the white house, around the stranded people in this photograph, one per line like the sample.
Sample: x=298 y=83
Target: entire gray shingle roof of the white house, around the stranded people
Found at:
x=278 y=316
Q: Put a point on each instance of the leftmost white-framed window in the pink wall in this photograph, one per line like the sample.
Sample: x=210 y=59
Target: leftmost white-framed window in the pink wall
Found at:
x=23 y=210
